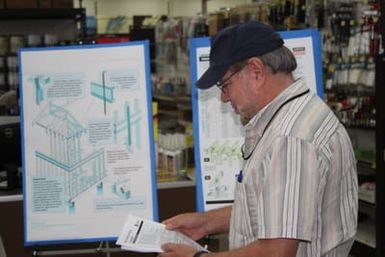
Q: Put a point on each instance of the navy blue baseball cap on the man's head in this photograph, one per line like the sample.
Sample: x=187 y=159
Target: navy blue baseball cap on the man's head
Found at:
x=237 y=43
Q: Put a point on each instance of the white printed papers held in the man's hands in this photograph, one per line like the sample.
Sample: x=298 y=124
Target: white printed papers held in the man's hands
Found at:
x=142 y=235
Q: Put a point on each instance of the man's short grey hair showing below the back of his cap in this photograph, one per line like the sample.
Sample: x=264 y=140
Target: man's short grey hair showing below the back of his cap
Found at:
x=280 y=60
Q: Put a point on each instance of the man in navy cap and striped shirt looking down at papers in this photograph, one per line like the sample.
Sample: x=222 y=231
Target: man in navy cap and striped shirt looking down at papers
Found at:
x=297 y=193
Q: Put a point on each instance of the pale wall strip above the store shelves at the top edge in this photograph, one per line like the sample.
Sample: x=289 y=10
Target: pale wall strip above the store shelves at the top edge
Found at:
x=173 y=8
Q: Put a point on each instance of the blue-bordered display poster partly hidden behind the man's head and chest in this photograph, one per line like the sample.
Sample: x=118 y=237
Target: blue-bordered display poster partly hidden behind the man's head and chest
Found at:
x=218 y=133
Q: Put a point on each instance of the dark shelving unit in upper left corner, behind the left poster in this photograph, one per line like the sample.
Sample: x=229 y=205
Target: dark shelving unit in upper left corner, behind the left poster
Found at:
x=33 y=28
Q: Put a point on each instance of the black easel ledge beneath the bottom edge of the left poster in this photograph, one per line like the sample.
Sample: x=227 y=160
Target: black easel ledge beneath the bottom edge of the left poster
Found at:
x=104 y=247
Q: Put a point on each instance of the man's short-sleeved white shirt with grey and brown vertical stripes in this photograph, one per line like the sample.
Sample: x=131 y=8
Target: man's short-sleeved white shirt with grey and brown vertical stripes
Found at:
x=300 y=181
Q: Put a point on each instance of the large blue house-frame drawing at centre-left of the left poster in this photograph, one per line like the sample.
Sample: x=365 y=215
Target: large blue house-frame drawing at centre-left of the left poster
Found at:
x=65 y=158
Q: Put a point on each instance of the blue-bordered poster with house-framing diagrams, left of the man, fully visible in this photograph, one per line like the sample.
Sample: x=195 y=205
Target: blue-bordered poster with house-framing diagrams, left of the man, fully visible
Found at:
x=88 y=150
